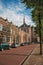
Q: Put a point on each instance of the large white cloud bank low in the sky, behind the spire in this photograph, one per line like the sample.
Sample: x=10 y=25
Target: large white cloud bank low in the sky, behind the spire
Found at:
x=11 y=14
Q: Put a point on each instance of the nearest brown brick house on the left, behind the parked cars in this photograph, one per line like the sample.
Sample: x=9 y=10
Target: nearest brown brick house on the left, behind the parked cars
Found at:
x=8 y=32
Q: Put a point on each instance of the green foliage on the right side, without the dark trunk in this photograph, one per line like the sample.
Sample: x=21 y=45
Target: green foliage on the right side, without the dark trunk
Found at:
x=37 y=7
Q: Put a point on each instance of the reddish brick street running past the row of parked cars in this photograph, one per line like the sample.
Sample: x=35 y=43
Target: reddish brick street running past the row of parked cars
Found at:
x=16 y=56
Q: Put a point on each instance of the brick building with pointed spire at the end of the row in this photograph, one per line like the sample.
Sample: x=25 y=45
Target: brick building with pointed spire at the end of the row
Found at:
x=30 y=31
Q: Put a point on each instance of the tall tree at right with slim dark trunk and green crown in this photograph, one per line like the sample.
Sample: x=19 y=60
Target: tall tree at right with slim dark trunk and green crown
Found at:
x=37 y=11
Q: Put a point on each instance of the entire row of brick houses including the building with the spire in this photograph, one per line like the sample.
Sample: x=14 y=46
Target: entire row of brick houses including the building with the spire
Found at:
x=13 y=34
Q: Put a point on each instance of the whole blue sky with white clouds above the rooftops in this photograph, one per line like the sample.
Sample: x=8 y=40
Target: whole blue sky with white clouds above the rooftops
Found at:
x=15 y=11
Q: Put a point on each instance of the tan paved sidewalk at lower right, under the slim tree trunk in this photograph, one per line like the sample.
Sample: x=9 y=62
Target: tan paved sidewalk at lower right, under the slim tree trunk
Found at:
x=35 y=58
